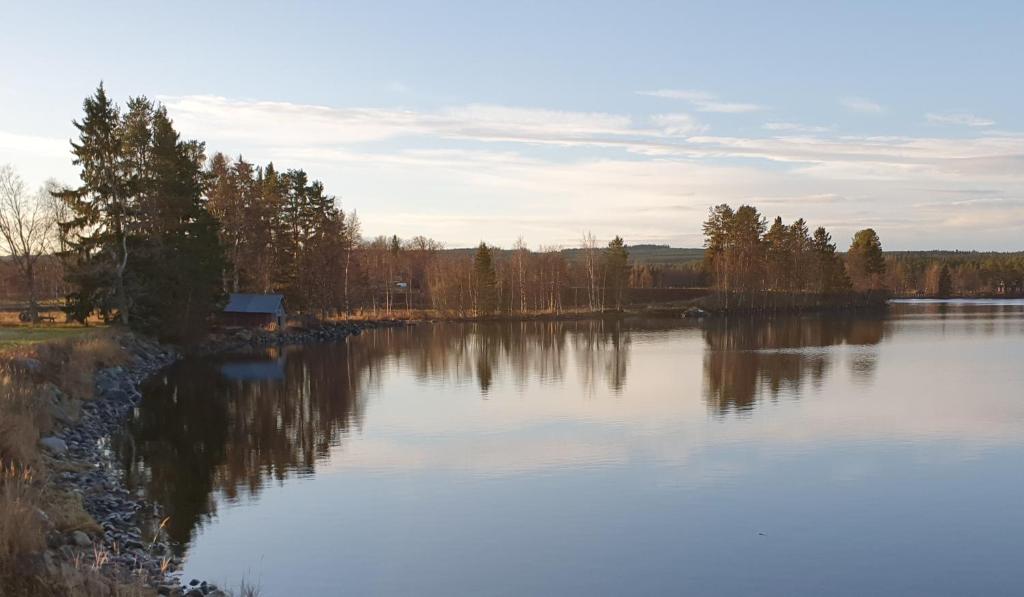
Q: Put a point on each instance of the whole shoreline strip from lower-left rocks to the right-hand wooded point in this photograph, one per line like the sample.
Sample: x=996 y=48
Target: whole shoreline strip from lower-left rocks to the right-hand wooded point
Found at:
x=129 y=532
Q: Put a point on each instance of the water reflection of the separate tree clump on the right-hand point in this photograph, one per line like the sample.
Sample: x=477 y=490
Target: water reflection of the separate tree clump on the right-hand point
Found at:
x=748 y=360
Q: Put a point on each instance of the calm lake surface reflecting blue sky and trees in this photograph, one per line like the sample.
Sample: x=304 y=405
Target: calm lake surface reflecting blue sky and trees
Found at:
x=798 y=456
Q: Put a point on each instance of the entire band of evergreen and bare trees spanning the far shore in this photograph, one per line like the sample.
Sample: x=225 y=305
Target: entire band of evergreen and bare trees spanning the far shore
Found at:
x=159 y=232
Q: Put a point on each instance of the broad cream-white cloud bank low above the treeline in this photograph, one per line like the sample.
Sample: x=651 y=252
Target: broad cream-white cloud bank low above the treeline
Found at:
x=464 y=174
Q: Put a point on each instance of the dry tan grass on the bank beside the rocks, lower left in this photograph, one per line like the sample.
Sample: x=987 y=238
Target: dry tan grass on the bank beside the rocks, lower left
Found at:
x=69 y=357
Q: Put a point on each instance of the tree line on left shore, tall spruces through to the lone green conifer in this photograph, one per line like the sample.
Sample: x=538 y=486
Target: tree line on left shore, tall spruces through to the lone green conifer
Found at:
x=158 y=234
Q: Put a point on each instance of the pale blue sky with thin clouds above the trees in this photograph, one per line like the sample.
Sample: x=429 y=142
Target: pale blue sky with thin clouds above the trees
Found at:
x=493 y=121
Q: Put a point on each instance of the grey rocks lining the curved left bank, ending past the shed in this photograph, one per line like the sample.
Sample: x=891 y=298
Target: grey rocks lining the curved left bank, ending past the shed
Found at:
x=130 y=546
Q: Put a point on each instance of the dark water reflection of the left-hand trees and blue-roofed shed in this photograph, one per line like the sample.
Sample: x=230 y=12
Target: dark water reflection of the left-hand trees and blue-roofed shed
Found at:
x=226 y=428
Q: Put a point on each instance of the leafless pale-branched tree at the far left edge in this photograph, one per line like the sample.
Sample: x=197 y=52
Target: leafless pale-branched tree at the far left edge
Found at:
x=26 y=227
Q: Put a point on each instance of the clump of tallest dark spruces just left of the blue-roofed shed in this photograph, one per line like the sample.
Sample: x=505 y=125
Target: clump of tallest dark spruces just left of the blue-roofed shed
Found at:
x=146 y=244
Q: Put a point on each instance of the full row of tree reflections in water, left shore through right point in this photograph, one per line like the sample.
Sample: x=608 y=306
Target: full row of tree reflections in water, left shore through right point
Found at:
x=236 y=424
